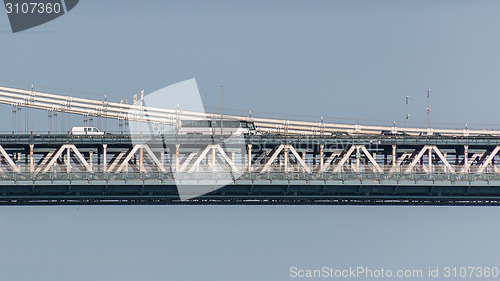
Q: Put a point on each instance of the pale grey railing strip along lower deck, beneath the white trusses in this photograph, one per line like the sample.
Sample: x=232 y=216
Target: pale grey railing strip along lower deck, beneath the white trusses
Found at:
x=276 y=177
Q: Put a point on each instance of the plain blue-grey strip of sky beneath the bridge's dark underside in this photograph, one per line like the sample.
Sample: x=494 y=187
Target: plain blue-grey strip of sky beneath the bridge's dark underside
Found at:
x=235 y=243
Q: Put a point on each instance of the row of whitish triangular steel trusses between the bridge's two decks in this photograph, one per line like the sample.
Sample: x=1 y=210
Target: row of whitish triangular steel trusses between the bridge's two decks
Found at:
x=260 y=155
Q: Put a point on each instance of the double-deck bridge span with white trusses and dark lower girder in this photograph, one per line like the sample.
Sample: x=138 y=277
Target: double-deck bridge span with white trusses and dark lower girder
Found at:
x=259 y=169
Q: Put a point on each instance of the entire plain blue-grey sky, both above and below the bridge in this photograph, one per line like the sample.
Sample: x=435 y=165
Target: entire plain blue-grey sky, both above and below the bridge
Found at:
x=350 y=61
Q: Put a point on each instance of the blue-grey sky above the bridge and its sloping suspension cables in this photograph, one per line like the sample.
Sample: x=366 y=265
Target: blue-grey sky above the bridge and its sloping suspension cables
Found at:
x=354 y=61
